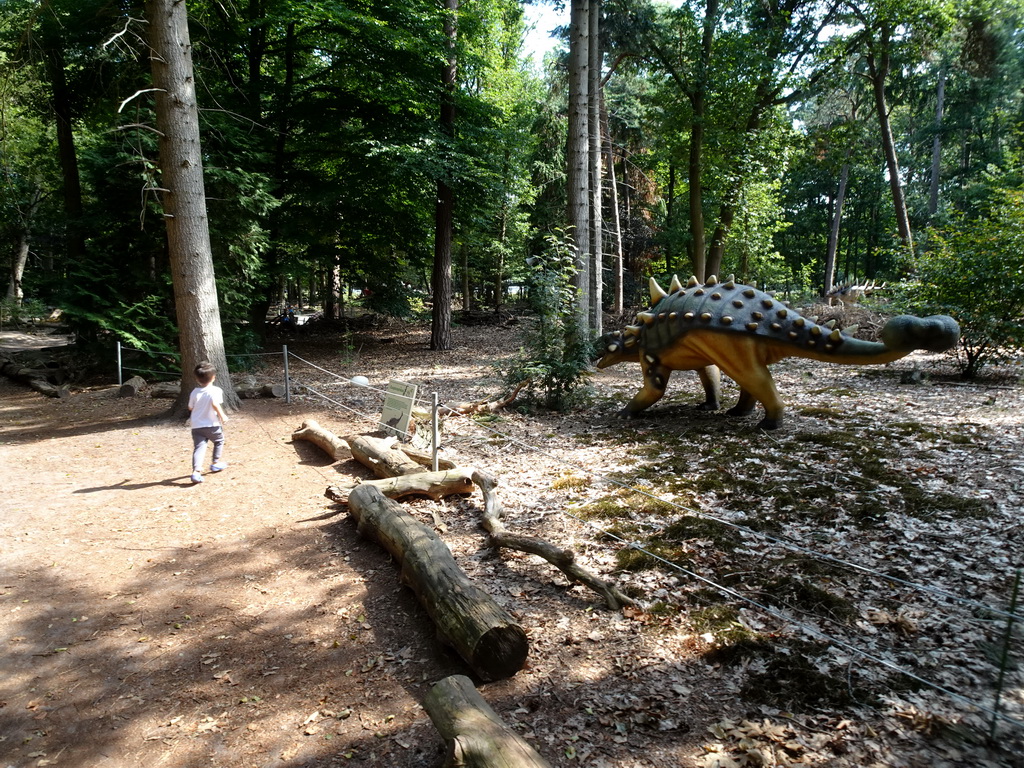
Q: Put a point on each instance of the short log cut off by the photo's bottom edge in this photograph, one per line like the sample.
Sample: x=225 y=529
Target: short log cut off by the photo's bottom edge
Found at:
x=477 y=737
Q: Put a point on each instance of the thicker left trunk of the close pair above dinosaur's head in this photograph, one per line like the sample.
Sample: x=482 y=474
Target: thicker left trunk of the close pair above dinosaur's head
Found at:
x=578 y=151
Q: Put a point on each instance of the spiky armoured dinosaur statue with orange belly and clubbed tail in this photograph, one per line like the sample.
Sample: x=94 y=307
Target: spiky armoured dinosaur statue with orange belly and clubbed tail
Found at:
x=741 y=330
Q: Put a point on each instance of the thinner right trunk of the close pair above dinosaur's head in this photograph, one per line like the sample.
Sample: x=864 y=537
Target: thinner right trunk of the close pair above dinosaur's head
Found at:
x=595 y=65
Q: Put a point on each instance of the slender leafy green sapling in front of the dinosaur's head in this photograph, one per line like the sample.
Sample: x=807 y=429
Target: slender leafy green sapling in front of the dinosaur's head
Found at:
x=556 y=362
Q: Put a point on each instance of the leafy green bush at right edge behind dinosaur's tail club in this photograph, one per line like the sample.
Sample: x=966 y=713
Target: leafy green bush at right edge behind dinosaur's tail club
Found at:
x=974 y=271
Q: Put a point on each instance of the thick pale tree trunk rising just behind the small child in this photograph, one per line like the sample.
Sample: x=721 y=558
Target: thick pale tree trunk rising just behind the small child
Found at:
x=185 y=203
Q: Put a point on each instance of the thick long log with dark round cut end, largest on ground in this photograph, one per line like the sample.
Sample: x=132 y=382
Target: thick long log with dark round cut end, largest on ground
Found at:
x=467 y=618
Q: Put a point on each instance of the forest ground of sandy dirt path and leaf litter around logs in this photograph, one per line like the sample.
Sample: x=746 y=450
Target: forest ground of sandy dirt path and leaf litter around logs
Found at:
x=801 y=592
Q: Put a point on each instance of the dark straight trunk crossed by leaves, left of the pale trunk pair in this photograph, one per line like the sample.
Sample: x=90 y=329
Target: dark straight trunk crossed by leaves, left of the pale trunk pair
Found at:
x=441 y=328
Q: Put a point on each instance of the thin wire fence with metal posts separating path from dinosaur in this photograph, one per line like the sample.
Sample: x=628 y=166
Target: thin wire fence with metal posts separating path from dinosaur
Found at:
x=305 y=377
